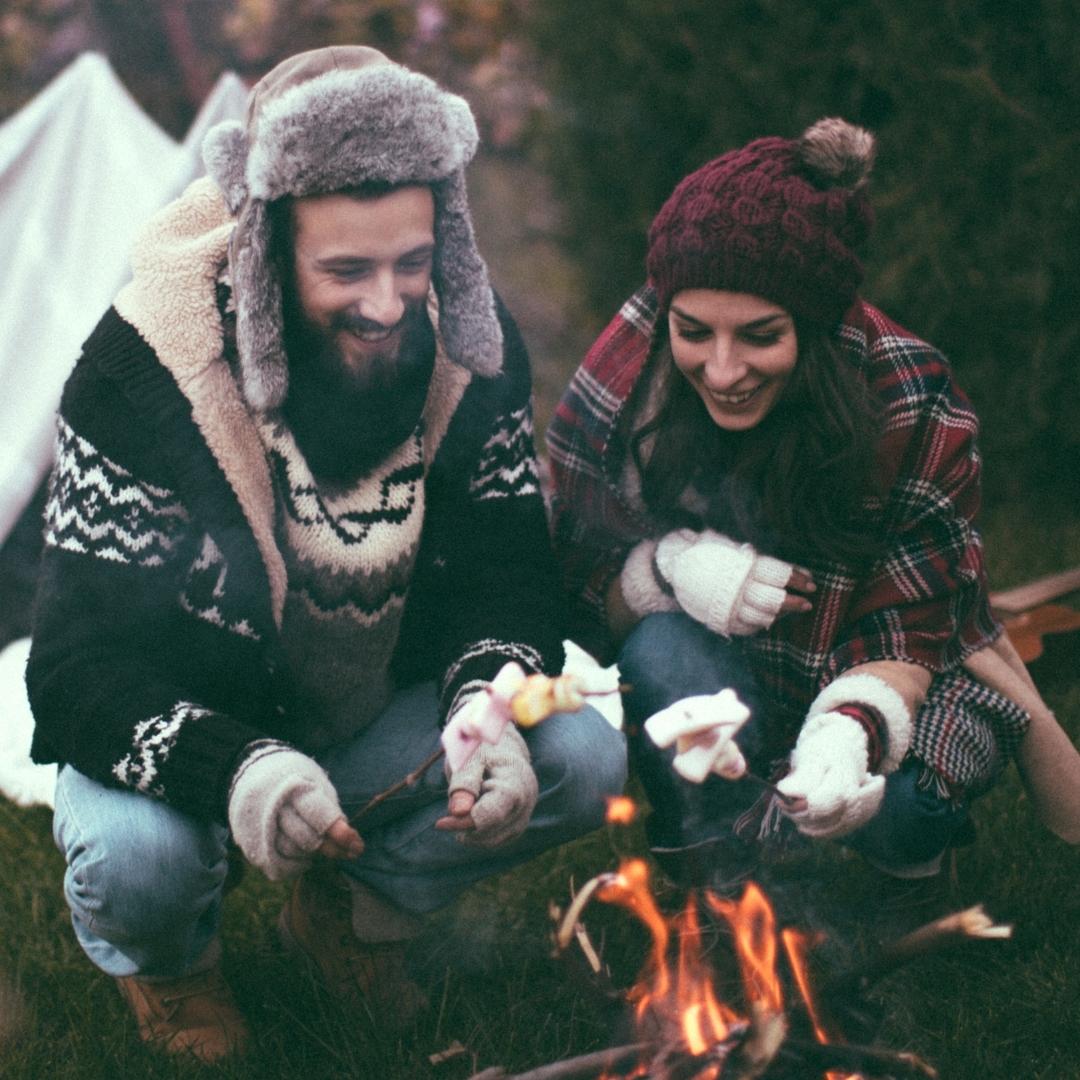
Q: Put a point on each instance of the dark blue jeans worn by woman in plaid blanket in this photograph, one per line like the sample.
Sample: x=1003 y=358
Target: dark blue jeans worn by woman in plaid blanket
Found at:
x=670 y=657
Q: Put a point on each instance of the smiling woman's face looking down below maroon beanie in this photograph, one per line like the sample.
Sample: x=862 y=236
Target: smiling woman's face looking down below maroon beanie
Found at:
x=737 y=350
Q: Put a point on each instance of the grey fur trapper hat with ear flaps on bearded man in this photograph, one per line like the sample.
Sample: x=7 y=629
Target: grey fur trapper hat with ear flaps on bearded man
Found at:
x=331 y=119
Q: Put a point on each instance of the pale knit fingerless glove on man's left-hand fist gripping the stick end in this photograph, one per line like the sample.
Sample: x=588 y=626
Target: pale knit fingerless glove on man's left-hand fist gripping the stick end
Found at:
x=281 y=803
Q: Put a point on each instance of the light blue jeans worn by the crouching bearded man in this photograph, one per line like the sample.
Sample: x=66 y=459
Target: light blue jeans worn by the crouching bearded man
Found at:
x=144 y=881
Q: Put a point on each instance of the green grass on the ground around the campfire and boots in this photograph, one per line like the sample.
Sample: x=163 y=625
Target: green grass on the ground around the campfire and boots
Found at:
x=991 y=1011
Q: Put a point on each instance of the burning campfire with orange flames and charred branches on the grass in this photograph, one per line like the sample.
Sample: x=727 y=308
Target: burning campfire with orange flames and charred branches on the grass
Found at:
x=725 y=994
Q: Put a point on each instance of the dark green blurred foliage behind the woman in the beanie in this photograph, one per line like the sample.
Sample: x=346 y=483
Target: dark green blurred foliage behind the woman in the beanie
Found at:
x=976 y=106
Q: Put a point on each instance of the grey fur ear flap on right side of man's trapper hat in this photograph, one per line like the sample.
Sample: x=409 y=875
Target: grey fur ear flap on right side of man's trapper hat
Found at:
x=468 y=321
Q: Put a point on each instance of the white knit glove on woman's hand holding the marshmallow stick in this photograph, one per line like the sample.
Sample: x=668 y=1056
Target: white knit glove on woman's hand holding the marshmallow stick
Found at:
x=831 y=772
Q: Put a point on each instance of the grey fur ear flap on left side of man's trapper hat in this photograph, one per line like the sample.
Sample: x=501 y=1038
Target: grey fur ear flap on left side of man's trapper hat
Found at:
x=264 y=371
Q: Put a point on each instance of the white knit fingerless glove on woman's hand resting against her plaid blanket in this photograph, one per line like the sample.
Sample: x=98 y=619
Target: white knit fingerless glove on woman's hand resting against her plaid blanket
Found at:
x=725 y=586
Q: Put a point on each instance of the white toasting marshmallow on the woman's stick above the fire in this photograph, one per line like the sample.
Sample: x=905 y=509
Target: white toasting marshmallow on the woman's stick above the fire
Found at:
x=704 y=730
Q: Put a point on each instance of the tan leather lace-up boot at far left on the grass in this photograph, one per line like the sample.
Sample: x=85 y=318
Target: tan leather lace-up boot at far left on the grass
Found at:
x=191 y=1016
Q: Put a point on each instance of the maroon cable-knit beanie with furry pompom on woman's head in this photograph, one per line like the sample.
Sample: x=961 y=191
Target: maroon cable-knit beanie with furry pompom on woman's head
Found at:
x=779 y=219
